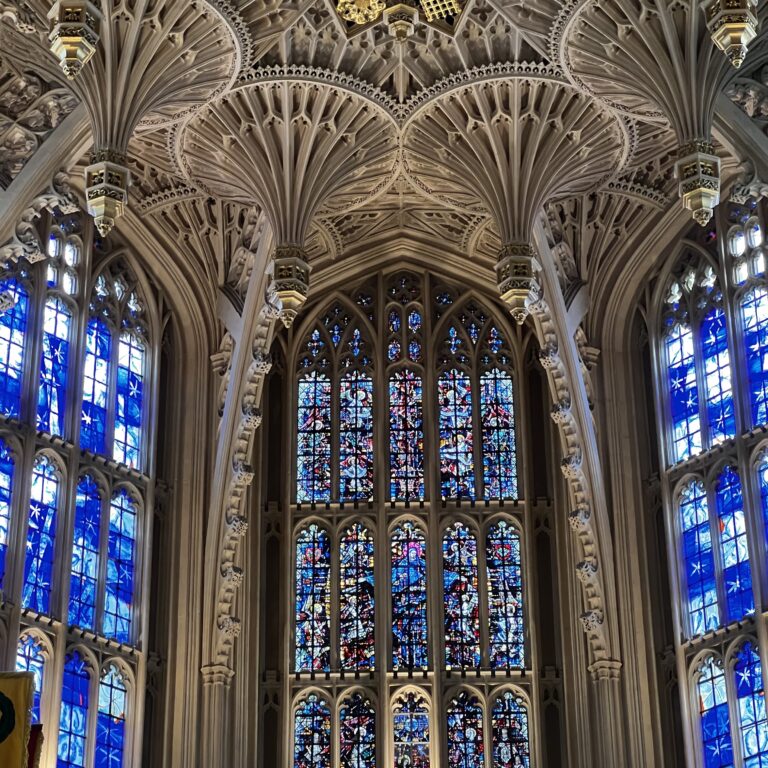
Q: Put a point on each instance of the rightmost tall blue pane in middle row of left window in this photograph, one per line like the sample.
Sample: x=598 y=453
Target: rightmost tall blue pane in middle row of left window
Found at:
x=121 y=566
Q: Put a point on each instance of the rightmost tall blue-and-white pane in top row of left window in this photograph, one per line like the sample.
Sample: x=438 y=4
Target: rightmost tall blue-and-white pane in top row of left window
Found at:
x=129 y=400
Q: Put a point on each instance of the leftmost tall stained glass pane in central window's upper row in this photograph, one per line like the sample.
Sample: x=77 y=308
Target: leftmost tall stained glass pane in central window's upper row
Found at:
x=313 y=476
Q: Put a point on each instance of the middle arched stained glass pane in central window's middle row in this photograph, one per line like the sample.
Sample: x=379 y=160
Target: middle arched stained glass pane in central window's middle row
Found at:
x=409 y=598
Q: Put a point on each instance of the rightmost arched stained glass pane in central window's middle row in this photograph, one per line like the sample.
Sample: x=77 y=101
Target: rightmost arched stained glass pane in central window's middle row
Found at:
x=506 y=625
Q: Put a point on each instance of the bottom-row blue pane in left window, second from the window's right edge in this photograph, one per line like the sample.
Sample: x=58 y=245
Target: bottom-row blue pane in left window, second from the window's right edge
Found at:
x=73 y=720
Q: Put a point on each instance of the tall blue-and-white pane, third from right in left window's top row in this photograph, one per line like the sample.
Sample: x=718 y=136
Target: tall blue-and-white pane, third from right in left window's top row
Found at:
x=54 y=367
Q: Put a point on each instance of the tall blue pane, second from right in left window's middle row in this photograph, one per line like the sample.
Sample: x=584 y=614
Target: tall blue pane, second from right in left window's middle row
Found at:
x=85 y=554
